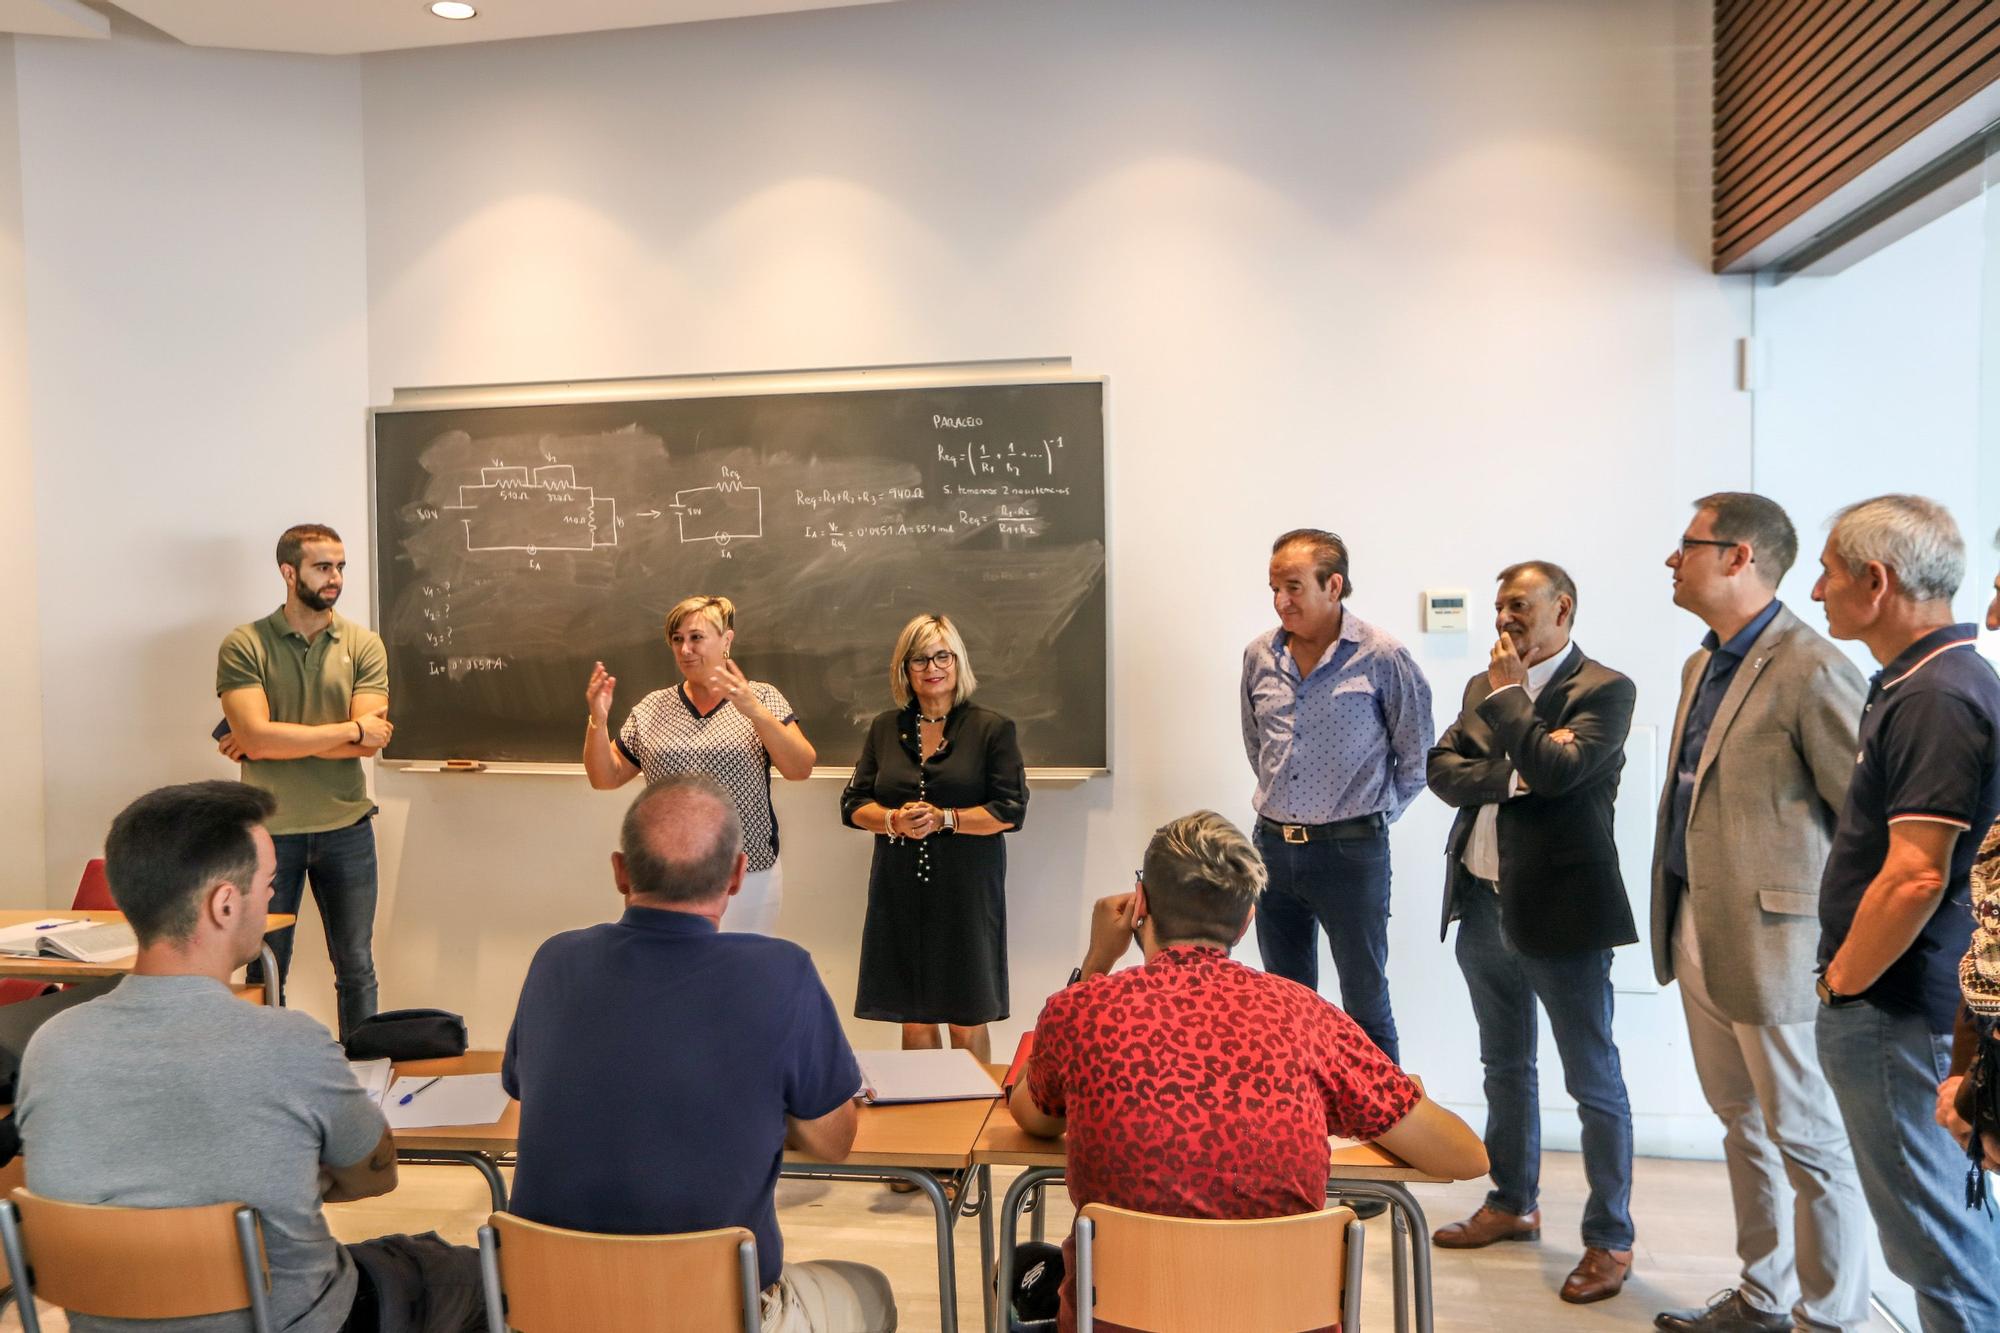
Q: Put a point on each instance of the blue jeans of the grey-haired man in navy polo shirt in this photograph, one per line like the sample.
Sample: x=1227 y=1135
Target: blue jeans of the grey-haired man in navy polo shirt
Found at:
x=1885 y=1070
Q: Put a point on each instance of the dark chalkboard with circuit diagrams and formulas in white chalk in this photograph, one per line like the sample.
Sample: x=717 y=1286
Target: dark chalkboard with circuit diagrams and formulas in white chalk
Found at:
x=515 y=545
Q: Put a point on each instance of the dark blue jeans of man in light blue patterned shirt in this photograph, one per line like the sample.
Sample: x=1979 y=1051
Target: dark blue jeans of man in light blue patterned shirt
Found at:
x=1341 y=886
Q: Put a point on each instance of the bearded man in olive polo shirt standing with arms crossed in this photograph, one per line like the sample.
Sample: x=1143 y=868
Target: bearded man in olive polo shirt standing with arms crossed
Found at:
x=305 y=694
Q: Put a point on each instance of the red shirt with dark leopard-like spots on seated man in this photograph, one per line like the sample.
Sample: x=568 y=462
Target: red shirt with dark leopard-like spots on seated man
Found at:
x=1203 y=1088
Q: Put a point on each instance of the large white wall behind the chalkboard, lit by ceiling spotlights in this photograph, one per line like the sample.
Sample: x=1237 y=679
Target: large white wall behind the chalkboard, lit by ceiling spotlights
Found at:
x=1425 y=273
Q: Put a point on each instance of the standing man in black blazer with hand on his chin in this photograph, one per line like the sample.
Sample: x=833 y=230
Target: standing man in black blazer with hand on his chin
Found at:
x=1533 y=880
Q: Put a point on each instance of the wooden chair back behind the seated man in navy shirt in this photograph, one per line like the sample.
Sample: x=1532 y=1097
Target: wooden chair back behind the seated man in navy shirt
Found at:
x=547 y=1280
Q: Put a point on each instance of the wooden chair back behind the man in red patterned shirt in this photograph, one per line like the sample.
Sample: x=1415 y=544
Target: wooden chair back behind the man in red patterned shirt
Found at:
x=1189 y=1274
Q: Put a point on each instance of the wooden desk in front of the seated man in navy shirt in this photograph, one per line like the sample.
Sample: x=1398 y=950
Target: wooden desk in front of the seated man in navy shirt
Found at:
x=891 y=1144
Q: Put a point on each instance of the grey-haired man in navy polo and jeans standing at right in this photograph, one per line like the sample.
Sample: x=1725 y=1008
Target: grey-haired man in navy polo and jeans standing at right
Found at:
x=1895 y=902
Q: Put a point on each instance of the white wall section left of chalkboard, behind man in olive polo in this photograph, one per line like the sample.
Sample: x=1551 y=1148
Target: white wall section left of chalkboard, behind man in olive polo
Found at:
x=197 y=377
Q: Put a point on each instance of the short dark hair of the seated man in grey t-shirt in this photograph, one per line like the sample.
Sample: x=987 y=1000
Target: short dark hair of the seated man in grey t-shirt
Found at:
x=171 y=846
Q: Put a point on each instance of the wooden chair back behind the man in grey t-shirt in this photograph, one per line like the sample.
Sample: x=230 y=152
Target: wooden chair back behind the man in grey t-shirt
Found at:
x=135 y=1264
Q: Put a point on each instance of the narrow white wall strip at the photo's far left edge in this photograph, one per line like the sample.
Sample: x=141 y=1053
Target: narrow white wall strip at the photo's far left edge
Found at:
x=21 y=665
